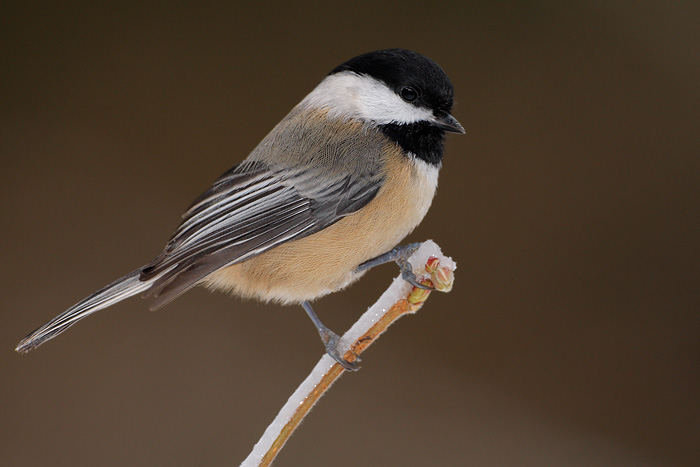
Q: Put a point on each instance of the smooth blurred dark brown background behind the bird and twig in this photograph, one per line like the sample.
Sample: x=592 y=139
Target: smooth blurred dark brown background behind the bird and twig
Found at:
x=571 y=206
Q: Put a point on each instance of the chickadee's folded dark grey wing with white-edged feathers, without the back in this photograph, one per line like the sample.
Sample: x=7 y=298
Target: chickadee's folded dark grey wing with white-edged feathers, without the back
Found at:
x=249 y=210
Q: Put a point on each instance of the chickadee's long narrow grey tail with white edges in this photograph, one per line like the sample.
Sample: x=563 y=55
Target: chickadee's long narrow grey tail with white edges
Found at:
x=117 y=291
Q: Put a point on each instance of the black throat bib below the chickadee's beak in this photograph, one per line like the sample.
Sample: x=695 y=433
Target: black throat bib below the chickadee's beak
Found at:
x=422 y=139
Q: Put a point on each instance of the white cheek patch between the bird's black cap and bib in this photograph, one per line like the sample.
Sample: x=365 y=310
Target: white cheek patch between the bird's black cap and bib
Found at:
x=348 y=95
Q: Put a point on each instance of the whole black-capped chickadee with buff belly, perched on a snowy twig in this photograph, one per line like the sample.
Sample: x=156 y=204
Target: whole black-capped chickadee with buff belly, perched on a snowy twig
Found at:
x=327 y=194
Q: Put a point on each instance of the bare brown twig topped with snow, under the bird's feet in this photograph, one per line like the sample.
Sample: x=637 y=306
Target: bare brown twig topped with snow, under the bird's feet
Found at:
x=399 y=299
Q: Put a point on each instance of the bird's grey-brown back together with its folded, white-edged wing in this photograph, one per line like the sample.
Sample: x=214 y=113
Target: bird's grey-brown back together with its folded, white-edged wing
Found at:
x=297 y=181
